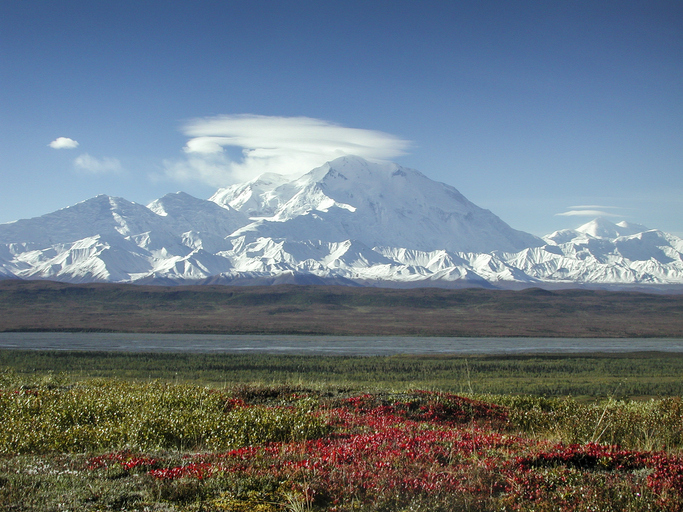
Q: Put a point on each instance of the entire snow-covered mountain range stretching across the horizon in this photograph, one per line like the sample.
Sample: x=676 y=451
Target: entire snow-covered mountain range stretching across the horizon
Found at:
x=348 y=222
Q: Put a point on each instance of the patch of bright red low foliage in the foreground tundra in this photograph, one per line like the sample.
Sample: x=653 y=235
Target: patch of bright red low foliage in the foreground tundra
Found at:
x=440 y=446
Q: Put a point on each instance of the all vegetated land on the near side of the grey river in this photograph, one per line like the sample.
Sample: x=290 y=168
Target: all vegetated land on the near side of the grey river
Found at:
x=210 y=432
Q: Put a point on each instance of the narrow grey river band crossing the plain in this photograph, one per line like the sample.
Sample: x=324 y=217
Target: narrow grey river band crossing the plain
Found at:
x=328 y=345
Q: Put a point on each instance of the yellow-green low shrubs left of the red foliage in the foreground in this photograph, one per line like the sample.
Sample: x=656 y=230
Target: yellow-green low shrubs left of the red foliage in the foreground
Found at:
x=106 y=414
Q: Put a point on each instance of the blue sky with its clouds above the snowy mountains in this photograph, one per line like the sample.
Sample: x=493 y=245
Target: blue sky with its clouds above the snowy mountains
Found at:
x=547 y=113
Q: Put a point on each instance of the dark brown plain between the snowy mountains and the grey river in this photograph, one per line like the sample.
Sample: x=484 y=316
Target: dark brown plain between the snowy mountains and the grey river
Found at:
x=48 y=306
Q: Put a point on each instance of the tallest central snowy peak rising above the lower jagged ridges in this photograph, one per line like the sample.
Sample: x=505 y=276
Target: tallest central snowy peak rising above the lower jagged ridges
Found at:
x=376 y=204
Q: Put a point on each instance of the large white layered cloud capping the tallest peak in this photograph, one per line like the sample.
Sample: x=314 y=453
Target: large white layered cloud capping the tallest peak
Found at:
x=284 y=145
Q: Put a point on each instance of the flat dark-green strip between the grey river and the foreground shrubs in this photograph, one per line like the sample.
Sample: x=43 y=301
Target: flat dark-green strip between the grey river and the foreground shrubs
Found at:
x=589 y=375
